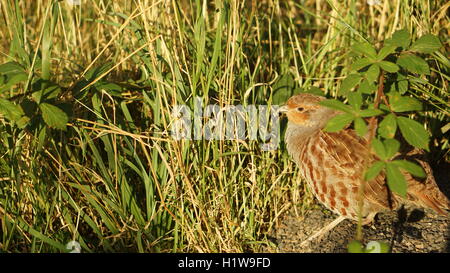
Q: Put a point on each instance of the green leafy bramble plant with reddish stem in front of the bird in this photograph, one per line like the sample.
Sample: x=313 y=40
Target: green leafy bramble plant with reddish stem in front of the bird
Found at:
x=377 y=89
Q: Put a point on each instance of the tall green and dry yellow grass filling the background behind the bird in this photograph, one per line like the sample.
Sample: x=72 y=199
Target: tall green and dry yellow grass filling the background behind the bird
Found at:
x=86 y=95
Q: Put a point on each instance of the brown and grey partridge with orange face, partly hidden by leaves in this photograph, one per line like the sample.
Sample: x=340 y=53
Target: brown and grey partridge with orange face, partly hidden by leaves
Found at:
x=333 y=164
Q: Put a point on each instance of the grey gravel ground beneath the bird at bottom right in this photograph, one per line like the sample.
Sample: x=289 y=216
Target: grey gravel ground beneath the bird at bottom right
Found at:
x=406 y=231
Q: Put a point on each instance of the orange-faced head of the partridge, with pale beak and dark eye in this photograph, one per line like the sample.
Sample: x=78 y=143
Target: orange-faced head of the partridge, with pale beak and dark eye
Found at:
x=304 y=110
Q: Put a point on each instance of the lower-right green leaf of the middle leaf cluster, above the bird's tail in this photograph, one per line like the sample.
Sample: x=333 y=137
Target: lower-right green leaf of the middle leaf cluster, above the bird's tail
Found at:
x=413 y=132
